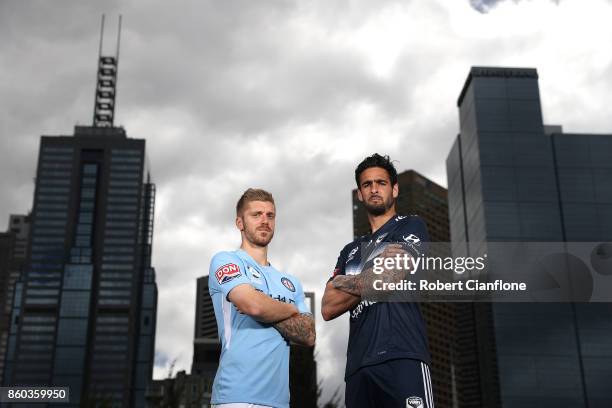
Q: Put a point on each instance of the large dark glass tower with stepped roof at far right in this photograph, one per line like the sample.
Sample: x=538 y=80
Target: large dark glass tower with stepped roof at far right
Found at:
x=513 y=179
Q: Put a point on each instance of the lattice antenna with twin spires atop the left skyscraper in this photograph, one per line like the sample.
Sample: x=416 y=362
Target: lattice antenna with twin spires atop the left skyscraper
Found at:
x=106 y=83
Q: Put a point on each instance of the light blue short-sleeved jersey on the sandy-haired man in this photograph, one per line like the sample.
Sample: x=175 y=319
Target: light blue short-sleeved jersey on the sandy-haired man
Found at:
x=254 y=364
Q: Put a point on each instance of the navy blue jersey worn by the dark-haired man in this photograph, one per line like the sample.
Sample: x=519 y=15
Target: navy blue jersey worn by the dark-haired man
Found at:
x=381 y=331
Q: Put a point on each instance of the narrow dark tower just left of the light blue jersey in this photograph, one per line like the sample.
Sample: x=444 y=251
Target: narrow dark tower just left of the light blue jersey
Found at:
x=206 y=343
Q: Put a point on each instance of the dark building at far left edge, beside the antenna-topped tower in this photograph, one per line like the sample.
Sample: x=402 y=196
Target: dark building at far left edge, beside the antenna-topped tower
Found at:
x=13 y=246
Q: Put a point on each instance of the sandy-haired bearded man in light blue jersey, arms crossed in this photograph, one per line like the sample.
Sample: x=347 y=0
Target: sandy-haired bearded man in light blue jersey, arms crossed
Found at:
x=259 y=310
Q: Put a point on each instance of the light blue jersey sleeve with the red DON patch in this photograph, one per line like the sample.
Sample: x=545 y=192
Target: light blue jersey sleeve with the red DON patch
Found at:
x=225 y=273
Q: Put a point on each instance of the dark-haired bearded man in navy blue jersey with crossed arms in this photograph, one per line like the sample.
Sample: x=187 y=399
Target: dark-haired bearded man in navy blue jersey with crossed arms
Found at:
x=387 y=362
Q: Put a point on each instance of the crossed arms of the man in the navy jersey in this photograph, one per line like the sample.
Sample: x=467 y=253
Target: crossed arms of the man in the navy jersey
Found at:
x=344 y=292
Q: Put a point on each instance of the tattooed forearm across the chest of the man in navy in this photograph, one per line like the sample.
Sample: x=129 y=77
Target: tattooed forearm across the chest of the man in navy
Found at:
x=363 y=283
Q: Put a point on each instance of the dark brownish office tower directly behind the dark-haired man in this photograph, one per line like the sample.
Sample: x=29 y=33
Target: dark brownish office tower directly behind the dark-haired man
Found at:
x=421 y=196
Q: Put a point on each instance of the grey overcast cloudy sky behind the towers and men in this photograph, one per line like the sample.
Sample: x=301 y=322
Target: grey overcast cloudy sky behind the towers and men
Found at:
x=284 y=95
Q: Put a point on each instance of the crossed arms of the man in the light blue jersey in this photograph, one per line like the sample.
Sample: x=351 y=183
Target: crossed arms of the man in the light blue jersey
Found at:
x=294 y=326
